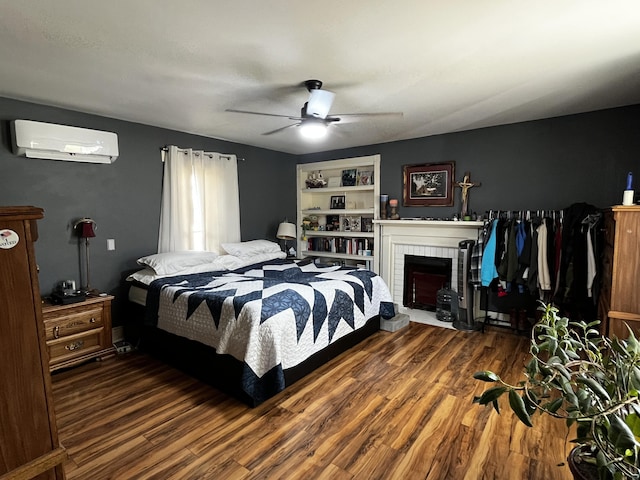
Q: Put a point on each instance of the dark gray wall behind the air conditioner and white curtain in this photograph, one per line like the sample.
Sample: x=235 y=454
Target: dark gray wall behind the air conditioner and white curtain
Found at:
x=124 y=197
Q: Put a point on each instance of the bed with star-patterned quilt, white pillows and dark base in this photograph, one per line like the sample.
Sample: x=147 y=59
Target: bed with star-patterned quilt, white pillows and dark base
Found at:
x=251 y=322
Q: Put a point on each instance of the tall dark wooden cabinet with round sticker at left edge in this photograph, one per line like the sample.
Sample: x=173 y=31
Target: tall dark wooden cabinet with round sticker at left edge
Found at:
x=29 y=444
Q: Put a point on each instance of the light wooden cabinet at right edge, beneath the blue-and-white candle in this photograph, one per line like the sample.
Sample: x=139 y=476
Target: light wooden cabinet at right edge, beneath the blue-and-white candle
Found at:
x=619 y=303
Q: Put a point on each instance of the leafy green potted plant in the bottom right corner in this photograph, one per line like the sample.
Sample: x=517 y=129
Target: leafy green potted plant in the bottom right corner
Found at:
x=587 y=379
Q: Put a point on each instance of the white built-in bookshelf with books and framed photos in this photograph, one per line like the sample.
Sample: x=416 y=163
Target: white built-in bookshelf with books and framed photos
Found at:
x=351 y=225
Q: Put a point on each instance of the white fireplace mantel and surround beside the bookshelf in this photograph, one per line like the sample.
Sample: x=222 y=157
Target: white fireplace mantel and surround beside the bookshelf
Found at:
x=433 y=238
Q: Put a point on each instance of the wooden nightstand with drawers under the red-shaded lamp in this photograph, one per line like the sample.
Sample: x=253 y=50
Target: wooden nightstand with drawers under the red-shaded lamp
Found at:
x=78 y=332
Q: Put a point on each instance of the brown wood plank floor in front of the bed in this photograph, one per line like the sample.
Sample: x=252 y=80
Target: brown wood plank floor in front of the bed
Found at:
x=397 y=406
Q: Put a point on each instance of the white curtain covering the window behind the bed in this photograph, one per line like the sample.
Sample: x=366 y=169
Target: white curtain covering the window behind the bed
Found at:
x=200 y=201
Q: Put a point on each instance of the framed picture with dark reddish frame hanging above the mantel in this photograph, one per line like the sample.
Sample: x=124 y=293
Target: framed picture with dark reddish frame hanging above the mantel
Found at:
x=428 y=185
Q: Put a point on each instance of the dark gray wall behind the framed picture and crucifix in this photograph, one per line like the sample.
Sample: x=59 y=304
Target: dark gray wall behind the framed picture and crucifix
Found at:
x=539 y=165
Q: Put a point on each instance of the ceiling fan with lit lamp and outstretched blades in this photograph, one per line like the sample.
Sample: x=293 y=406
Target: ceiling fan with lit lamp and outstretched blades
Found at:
x=314 y=116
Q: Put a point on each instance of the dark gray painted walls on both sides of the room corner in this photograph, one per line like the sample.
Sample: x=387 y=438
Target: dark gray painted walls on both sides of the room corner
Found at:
x=546 y=164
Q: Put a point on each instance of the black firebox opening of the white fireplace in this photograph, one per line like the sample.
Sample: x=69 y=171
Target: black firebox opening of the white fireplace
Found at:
x=423 y=277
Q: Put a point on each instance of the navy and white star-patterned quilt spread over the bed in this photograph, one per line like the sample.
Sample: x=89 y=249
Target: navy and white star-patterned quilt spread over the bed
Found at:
x=270 y=316
